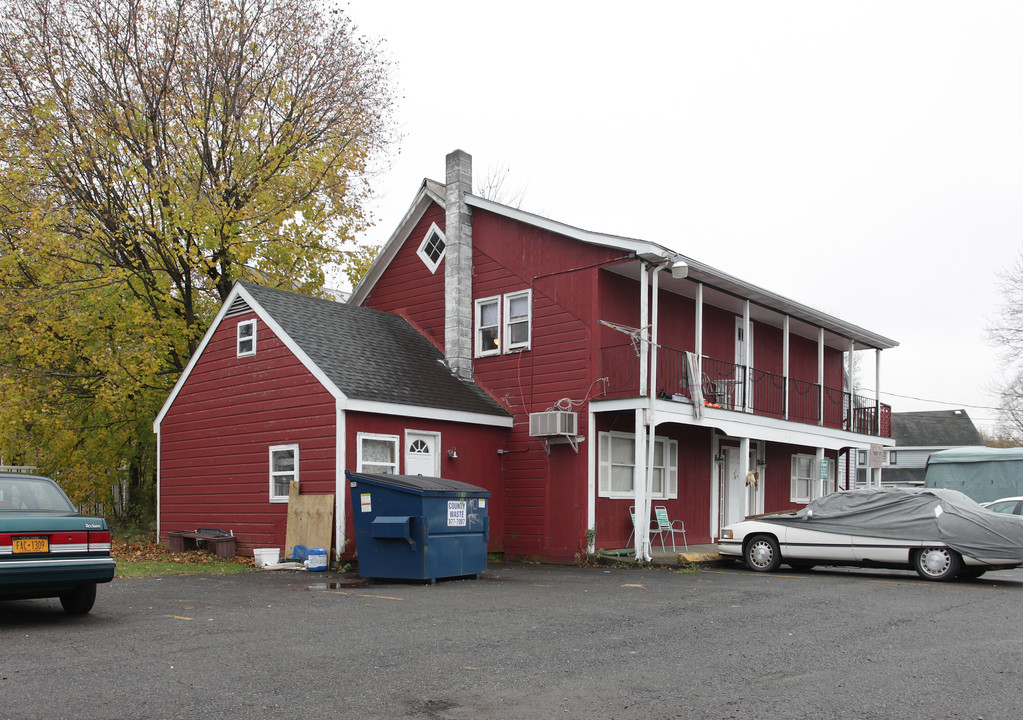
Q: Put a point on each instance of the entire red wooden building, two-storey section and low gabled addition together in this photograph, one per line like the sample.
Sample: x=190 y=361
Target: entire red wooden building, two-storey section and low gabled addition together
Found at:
x=596 y=374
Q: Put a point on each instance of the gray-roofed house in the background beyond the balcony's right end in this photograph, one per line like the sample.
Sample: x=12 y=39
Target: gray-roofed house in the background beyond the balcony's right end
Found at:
x=917 y=435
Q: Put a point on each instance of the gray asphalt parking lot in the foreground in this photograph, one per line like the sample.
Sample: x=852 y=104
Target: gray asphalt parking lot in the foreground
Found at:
x=524 y=642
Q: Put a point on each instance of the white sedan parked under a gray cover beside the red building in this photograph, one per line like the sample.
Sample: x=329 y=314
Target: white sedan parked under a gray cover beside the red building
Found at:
x=942 y=534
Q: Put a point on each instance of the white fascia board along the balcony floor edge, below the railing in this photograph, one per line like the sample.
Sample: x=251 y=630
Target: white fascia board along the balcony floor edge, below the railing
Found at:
x=741 y=425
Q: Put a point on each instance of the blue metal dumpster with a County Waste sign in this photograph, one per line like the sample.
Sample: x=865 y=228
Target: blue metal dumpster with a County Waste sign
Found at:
x=417 y=528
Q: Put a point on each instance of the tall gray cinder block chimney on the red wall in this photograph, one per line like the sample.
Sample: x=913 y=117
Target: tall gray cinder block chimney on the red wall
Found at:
x=459 y=265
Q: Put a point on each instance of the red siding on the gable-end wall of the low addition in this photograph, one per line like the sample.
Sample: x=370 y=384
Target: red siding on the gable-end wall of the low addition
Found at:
x=215 y=439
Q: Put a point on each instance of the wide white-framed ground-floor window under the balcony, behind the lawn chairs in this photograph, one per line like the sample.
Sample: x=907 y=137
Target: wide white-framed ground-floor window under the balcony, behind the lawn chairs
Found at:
x=617 y=464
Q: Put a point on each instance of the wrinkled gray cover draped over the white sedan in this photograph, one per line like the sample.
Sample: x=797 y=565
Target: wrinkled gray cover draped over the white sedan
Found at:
x=912 y=514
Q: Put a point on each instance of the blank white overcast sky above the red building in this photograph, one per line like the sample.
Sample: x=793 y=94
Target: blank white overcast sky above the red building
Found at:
x=863 y=158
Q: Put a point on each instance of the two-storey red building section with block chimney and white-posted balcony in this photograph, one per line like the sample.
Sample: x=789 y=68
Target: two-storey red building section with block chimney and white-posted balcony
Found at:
x=559 y=324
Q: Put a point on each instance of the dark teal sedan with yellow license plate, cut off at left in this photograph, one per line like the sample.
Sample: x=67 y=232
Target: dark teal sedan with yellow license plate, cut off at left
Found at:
x=48 y=550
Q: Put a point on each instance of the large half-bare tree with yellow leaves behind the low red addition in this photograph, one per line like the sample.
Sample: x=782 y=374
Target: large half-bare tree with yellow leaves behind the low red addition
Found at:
x=153 y=153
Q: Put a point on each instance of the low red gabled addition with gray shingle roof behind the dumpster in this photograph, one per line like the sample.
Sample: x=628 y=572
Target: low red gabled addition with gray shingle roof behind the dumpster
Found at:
x=287 y=387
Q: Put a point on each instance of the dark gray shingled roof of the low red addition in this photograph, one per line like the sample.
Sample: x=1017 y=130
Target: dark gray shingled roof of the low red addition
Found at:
x=372 y=355
